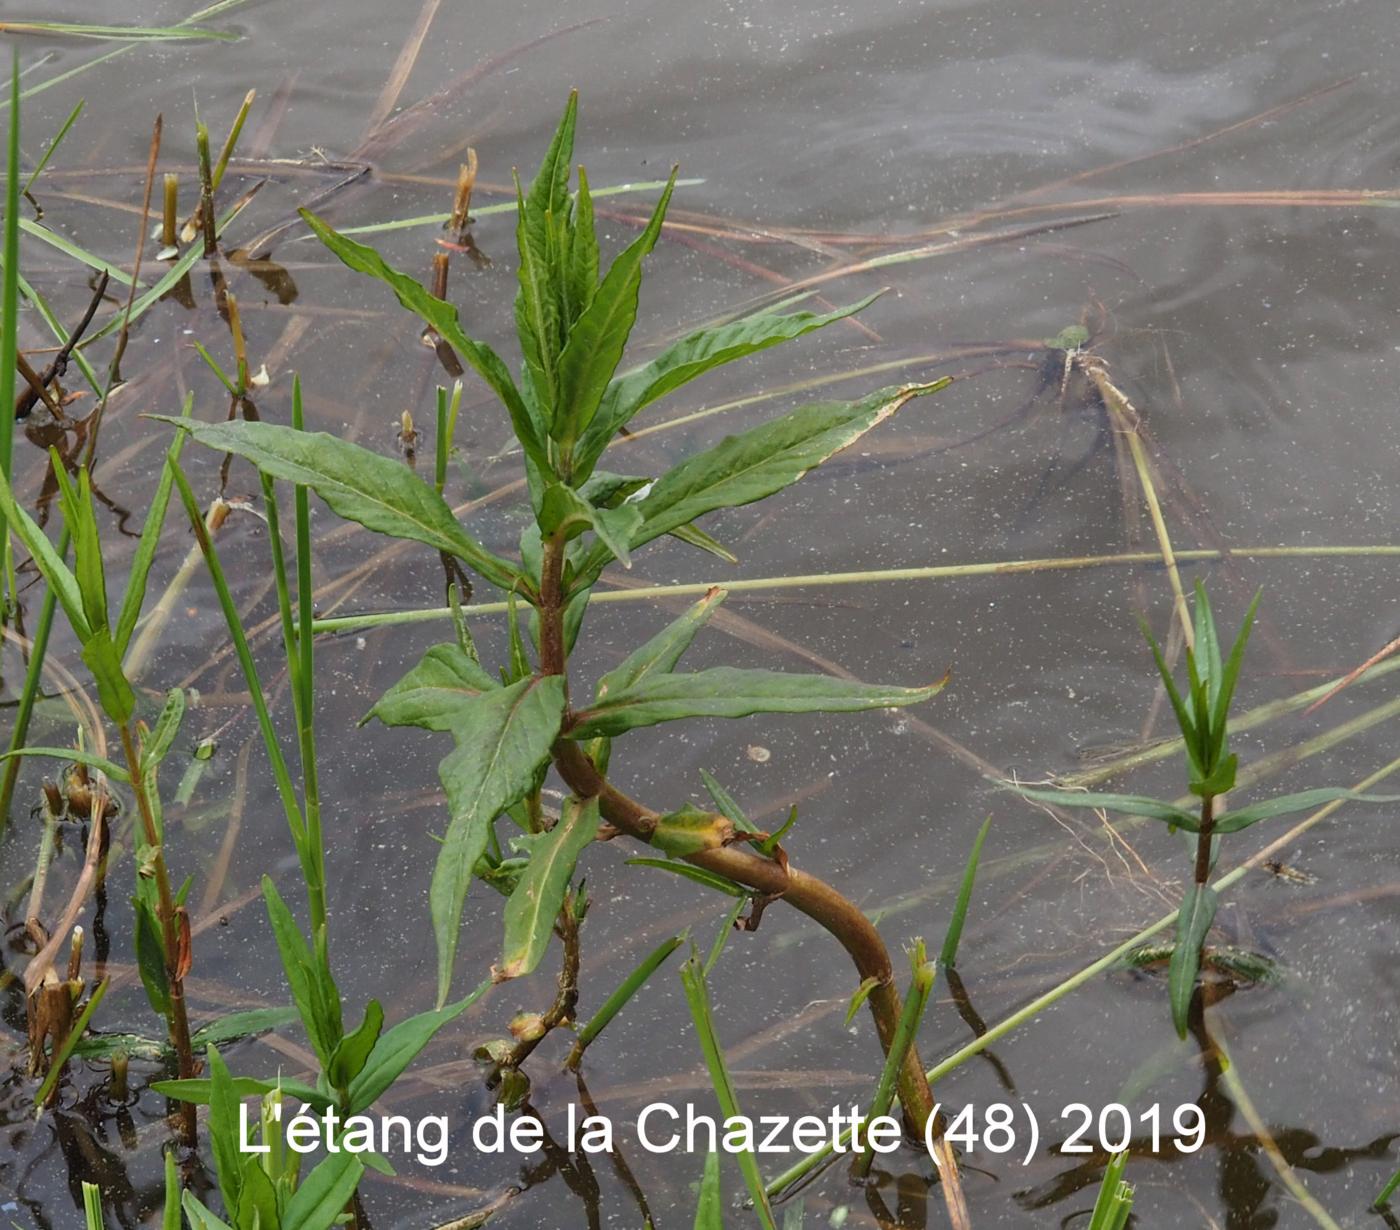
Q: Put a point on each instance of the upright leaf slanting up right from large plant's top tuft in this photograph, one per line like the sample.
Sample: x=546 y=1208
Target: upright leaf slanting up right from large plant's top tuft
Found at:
x=600 y=335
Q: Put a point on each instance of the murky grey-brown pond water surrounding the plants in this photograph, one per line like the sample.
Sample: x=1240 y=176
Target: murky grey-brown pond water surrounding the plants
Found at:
x=1207 y=190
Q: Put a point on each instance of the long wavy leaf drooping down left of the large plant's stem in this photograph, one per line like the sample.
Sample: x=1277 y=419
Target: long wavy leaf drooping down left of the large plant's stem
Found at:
x=502 y=742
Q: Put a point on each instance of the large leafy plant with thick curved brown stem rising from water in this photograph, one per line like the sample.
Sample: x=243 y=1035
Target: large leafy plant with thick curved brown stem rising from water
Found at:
x=568 y=407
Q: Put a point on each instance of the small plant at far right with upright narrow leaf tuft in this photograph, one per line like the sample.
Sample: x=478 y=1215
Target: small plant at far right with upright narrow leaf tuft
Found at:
x=1203 y=717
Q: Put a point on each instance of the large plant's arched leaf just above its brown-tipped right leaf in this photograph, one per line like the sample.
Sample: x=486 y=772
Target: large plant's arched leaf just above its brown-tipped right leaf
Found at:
x=691 y=358
